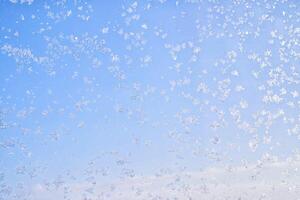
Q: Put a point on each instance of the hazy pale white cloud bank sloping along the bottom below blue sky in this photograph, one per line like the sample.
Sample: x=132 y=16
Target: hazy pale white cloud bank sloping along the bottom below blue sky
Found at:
x=273 y=181
